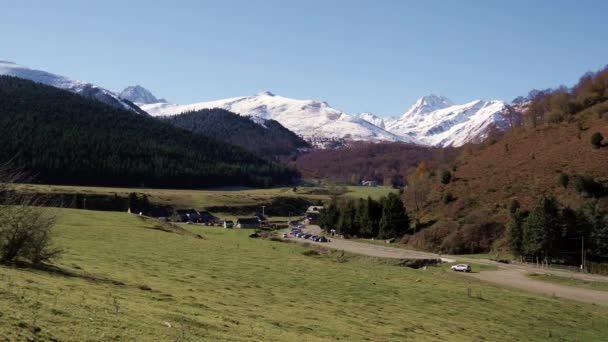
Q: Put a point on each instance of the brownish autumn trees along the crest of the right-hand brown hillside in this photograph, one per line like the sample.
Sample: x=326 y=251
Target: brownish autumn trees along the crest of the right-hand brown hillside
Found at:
x=561 y=104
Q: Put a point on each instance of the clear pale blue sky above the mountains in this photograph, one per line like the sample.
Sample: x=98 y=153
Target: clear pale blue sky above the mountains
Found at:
x=376 y=56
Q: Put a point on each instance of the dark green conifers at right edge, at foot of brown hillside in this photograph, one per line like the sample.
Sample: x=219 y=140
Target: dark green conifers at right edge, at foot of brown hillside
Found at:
x=552 y=233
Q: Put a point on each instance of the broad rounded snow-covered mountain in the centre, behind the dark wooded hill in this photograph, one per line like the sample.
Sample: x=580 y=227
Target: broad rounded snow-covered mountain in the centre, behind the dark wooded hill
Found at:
x=304 y=117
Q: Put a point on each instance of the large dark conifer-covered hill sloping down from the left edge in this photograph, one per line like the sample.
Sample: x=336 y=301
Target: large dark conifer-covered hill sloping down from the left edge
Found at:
x=64 y=138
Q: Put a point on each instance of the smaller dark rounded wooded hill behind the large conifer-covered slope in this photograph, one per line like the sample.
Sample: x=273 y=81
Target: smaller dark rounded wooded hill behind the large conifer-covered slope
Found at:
x=271 y=140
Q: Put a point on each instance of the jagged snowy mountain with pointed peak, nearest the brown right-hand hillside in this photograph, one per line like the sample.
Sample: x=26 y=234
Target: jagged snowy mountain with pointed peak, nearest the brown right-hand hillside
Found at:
x=435 y=120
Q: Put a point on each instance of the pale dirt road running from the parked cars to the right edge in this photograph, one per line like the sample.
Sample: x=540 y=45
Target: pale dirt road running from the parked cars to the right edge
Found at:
x=513 y=275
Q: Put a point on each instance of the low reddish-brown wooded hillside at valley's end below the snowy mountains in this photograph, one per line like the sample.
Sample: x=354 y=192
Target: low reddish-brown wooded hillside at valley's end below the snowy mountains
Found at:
x=383 y=162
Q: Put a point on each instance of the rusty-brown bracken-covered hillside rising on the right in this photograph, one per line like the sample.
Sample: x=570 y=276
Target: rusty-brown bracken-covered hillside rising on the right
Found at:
x=550 y=154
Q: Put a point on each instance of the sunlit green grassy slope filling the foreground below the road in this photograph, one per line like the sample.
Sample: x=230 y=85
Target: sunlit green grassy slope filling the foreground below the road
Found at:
x=230 y=287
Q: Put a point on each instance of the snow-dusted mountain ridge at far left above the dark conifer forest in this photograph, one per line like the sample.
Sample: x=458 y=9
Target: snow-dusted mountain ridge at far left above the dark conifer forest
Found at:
x=78 y=87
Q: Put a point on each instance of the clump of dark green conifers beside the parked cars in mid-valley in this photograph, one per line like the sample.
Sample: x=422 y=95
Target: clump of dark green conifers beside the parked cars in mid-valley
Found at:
x=366 y=218
